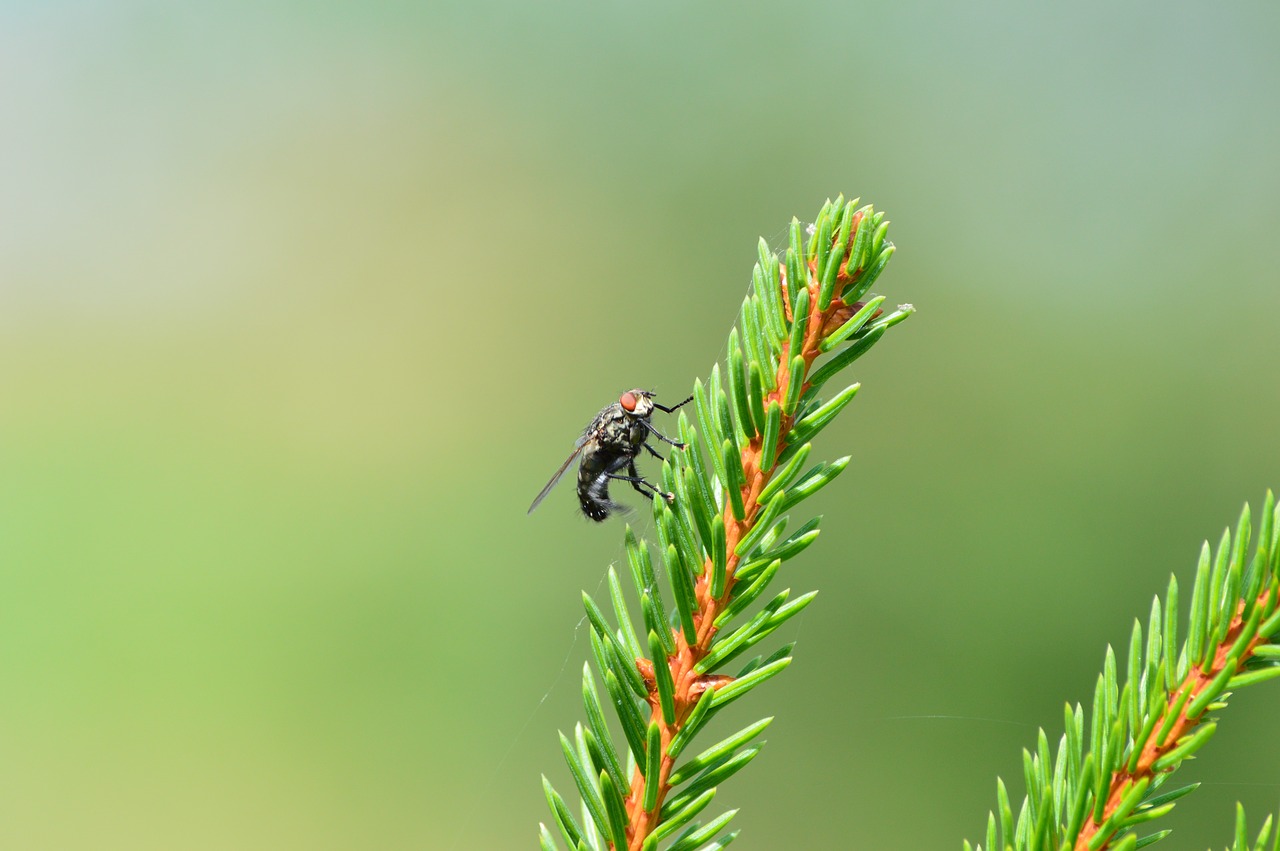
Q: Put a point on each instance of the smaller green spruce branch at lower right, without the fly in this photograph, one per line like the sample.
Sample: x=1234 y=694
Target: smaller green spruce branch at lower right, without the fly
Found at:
x=1099 y=791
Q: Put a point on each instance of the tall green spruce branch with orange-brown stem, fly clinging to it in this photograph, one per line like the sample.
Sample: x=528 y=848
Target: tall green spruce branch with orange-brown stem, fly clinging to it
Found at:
x=721 y=543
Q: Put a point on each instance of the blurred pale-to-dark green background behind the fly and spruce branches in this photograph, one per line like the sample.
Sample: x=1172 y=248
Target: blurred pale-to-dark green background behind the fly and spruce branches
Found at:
x=301 y=304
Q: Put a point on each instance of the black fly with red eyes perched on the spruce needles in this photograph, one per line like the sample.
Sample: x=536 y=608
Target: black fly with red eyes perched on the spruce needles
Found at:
x=611 y=443
